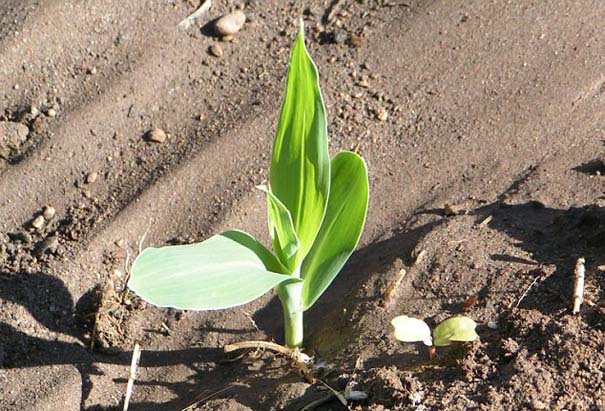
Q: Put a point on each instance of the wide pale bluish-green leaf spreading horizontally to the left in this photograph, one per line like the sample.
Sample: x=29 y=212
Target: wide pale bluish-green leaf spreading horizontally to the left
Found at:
x=224 y=271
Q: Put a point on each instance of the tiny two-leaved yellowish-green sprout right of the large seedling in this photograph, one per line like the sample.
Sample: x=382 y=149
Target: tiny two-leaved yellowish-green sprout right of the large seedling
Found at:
x=457 y=328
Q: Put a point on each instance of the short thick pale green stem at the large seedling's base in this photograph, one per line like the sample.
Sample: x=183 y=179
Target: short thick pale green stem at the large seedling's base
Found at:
x=290 y=295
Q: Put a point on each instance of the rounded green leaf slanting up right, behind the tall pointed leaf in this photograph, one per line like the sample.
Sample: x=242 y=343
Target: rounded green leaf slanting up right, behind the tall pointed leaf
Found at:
x=341 y=228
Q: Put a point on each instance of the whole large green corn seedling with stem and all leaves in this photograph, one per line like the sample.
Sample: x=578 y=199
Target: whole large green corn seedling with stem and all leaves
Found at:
x=316 y=209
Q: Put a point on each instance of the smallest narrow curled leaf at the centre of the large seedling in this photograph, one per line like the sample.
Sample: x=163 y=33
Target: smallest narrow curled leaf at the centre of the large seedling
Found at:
x=285 y=240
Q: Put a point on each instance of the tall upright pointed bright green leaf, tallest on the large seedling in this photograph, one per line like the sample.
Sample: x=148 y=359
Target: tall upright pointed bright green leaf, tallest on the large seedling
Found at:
x=300 y=163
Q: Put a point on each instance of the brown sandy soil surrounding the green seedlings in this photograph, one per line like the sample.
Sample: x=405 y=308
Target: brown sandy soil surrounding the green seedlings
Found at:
x=482 y=126
